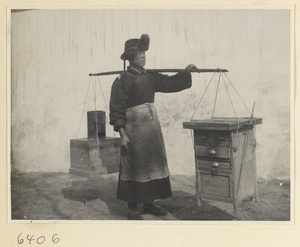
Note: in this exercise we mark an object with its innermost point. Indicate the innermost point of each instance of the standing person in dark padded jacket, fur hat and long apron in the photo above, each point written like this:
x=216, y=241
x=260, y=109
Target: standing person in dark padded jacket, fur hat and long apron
x=144, y=173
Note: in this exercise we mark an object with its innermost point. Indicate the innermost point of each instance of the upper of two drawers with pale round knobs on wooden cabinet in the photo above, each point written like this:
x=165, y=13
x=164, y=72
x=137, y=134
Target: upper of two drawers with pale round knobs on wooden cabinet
x=217, y=152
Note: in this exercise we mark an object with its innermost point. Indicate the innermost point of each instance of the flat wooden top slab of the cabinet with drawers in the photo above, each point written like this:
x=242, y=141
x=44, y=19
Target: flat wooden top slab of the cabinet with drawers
x=224, y=123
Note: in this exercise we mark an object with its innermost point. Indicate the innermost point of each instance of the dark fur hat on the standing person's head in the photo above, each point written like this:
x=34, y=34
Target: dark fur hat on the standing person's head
x=133, y=46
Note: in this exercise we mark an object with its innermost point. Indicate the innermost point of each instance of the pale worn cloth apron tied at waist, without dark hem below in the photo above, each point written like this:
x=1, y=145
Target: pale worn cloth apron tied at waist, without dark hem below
x=145, y=160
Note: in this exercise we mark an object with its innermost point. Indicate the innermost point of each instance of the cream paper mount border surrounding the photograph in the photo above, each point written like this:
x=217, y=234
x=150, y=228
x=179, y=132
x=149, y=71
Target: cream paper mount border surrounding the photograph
x=111, y=231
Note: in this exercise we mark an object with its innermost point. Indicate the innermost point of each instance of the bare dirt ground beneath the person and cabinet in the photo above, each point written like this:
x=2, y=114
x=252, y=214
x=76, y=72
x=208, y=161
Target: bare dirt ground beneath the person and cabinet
x=62, y=196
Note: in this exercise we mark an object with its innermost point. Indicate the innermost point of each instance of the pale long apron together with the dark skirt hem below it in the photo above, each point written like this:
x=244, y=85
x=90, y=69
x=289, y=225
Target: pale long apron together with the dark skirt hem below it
x=144, y=173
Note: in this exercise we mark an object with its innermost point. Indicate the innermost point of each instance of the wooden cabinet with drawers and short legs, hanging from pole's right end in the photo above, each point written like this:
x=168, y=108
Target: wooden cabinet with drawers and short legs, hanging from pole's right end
x=225, y=162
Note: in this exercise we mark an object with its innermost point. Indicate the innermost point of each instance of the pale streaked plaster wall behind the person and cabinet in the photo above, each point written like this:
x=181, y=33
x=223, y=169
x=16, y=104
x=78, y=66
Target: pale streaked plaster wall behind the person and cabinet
x=53, y=52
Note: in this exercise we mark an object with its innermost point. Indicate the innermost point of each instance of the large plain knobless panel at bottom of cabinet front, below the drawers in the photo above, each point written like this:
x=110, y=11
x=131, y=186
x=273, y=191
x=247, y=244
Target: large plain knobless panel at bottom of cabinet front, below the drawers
x=215, y=185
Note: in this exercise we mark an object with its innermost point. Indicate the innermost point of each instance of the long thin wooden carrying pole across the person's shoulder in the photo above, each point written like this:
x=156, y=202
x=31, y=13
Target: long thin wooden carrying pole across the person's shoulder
x=163, y=71
